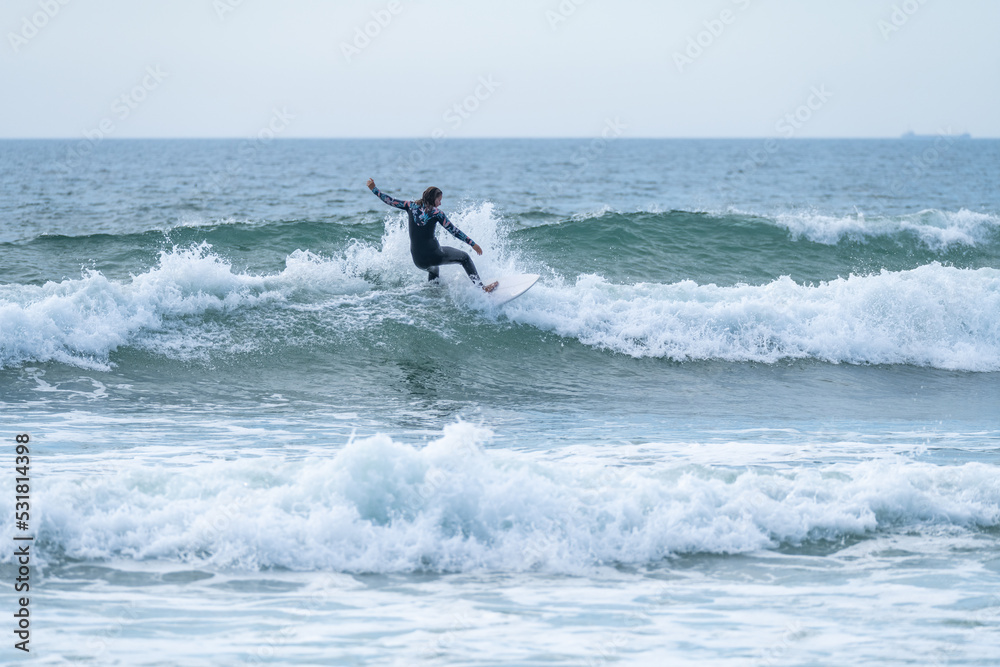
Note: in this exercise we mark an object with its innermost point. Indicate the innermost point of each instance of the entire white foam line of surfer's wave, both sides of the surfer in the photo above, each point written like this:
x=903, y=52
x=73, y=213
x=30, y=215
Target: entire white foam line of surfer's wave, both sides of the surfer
x=935, y=316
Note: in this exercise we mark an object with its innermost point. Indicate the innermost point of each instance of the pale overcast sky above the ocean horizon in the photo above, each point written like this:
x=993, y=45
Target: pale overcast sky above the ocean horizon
x=492, y=68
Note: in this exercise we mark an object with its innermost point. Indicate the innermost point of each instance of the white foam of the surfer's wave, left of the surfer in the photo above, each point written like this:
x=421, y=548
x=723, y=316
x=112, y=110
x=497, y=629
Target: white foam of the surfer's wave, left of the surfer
x=81, y=321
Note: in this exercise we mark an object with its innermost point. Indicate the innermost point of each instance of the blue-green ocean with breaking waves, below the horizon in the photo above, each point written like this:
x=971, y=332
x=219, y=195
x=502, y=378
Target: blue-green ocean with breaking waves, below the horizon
x=750, y=414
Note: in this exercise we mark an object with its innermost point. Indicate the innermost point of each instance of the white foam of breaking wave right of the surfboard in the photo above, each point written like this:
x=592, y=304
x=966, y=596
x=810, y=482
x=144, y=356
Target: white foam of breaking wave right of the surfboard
x=930, y=316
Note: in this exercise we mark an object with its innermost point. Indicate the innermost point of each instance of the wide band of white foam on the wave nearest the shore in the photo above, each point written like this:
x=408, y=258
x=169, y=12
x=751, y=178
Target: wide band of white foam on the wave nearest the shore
x=383, y=506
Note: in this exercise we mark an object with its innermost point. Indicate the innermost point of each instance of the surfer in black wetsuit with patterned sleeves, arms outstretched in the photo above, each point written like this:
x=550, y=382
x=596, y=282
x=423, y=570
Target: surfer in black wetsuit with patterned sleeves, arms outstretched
x=427, y=253
